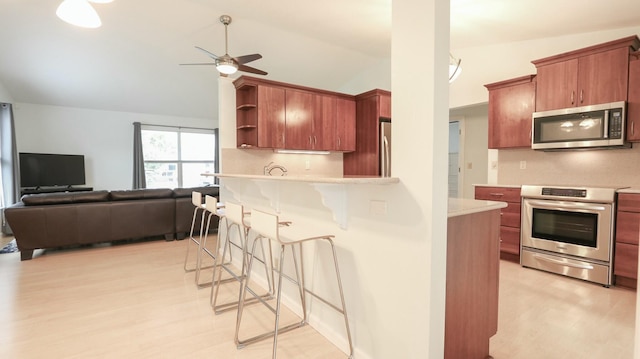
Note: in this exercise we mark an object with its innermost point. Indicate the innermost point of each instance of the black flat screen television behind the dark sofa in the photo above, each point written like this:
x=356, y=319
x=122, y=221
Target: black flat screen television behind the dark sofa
x=46, y=169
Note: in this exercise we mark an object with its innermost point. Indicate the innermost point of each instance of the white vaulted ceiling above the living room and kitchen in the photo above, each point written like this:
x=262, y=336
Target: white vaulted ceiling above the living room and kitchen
x=131, y=63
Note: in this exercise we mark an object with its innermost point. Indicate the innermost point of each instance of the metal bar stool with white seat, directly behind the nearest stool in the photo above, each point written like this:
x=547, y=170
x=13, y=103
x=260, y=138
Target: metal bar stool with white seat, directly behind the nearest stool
x=236, y=217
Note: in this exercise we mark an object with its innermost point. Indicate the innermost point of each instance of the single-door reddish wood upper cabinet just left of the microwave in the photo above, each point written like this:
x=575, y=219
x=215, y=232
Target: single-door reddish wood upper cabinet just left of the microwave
x=511, y=105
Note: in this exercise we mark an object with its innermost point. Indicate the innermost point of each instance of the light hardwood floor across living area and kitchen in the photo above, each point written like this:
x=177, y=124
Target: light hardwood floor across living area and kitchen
x=134, y=300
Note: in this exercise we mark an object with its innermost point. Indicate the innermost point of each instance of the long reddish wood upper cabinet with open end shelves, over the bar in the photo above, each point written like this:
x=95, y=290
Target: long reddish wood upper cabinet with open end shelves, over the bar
x=277, y=115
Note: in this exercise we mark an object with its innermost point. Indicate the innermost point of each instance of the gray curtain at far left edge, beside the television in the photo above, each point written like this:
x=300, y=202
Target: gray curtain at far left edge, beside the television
x=10, y=174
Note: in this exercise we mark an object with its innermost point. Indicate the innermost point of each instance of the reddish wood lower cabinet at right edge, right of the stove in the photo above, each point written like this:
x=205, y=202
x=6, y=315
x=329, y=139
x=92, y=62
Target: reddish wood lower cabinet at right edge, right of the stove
x=625, y=261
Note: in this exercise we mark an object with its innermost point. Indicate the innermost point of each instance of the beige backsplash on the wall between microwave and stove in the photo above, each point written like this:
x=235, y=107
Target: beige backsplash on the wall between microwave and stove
x=604, y=168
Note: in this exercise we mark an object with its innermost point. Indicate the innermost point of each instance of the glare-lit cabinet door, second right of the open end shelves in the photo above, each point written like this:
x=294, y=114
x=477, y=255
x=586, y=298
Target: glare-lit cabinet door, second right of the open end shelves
x=299, y=109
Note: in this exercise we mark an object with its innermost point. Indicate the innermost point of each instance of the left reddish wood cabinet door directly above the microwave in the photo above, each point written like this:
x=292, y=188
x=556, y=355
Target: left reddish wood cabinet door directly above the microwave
x=557, y=85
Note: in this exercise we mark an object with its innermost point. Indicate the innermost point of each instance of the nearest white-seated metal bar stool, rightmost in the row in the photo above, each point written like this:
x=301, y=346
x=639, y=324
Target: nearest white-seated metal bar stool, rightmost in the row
x=267, y=226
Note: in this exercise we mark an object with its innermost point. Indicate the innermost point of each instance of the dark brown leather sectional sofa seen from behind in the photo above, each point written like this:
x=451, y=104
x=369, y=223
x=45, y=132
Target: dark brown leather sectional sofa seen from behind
x=55, y=220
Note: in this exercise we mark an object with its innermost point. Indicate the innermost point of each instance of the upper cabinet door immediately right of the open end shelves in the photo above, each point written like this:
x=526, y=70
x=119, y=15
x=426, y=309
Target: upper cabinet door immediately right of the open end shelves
x=271, y=117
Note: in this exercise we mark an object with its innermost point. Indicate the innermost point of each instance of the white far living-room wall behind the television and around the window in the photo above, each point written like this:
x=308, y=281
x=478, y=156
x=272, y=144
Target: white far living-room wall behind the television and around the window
x=105, y=138
